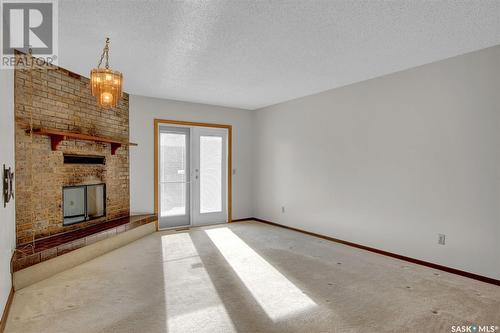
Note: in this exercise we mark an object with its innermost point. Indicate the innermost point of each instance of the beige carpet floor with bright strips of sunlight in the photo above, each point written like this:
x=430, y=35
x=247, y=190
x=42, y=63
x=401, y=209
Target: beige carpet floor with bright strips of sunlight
x=250, y=277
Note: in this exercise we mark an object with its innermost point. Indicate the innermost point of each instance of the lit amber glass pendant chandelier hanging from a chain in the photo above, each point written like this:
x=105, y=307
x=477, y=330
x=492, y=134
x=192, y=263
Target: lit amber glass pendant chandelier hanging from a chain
x=106, y=84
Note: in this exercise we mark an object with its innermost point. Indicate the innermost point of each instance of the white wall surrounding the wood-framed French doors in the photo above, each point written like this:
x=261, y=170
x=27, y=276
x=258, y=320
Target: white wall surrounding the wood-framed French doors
x=143, y=111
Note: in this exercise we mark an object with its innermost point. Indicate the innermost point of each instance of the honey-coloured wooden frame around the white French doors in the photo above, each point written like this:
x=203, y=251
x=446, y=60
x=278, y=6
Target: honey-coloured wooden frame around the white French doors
x=229, y=128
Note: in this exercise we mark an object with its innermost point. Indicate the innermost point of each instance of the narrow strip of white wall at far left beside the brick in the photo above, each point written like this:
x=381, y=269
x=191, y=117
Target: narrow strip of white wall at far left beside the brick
x=7, y=215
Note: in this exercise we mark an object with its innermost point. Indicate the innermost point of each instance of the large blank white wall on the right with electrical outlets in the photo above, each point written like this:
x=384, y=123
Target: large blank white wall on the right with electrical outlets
x=391, y=162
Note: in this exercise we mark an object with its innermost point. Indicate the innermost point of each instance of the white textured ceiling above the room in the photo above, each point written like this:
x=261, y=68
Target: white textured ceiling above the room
x=250, y=54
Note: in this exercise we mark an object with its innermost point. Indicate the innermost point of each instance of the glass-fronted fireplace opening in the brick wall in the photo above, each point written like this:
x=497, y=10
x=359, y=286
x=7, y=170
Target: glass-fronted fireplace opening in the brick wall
x=83, y=203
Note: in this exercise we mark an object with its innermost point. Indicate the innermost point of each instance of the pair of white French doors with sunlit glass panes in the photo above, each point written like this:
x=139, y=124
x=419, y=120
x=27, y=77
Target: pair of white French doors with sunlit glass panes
x=192, y=175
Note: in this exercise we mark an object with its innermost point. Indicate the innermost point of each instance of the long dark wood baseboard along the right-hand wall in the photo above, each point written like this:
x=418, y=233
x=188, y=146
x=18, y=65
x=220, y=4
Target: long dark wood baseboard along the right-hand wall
x=390, y=254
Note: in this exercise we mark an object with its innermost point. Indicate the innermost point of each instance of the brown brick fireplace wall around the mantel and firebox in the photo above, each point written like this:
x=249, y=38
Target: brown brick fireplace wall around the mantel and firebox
x=62, y=101
